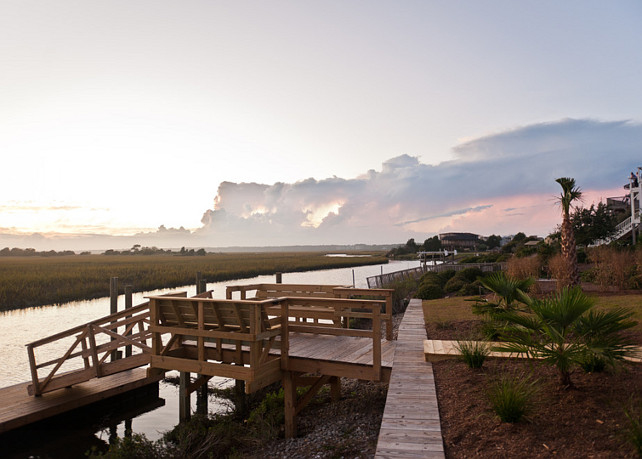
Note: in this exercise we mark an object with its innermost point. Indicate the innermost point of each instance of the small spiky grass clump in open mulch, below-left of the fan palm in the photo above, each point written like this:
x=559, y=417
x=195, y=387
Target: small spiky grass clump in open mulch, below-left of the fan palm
x=512, y=398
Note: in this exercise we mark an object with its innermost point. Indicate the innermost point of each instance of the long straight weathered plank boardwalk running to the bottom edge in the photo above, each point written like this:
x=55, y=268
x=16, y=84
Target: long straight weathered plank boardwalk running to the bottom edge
x=410, y=427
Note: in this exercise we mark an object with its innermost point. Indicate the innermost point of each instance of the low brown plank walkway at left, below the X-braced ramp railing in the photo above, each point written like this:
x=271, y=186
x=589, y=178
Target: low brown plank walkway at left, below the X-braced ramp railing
x=18, y=408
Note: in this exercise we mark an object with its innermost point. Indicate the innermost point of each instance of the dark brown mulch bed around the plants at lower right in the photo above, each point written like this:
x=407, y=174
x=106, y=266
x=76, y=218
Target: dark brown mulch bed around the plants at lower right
x=587, y=421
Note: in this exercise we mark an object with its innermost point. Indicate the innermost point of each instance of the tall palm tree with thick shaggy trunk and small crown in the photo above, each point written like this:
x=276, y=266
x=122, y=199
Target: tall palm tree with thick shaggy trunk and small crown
x=570, y=194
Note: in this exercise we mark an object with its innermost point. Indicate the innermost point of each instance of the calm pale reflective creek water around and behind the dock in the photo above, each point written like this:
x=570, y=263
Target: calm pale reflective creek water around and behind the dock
x=19, y=327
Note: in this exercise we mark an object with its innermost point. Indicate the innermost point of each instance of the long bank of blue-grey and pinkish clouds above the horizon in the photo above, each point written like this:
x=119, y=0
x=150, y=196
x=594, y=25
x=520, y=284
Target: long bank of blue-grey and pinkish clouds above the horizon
x=498, y=184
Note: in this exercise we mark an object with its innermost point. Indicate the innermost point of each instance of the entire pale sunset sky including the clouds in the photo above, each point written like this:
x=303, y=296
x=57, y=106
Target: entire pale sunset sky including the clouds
x=225, y=123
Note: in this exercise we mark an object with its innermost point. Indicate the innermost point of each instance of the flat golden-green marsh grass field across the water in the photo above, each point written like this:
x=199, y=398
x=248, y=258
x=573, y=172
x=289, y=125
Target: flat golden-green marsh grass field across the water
x=35, y=281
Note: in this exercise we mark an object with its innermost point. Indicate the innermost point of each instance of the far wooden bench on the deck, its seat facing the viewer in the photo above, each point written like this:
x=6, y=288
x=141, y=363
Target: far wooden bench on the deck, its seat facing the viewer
x=263, y=291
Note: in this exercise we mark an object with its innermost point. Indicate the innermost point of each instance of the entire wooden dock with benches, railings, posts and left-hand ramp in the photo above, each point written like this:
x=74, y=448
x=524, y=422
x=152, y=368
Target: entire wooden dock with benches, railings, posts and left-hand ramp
x=300, y=341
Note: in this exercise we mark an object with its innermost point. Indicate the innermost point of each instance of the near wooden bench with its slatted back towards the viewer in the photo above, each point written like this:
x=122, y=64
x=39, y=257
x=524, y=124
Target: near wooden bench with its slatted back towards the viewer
x=226, y=338
